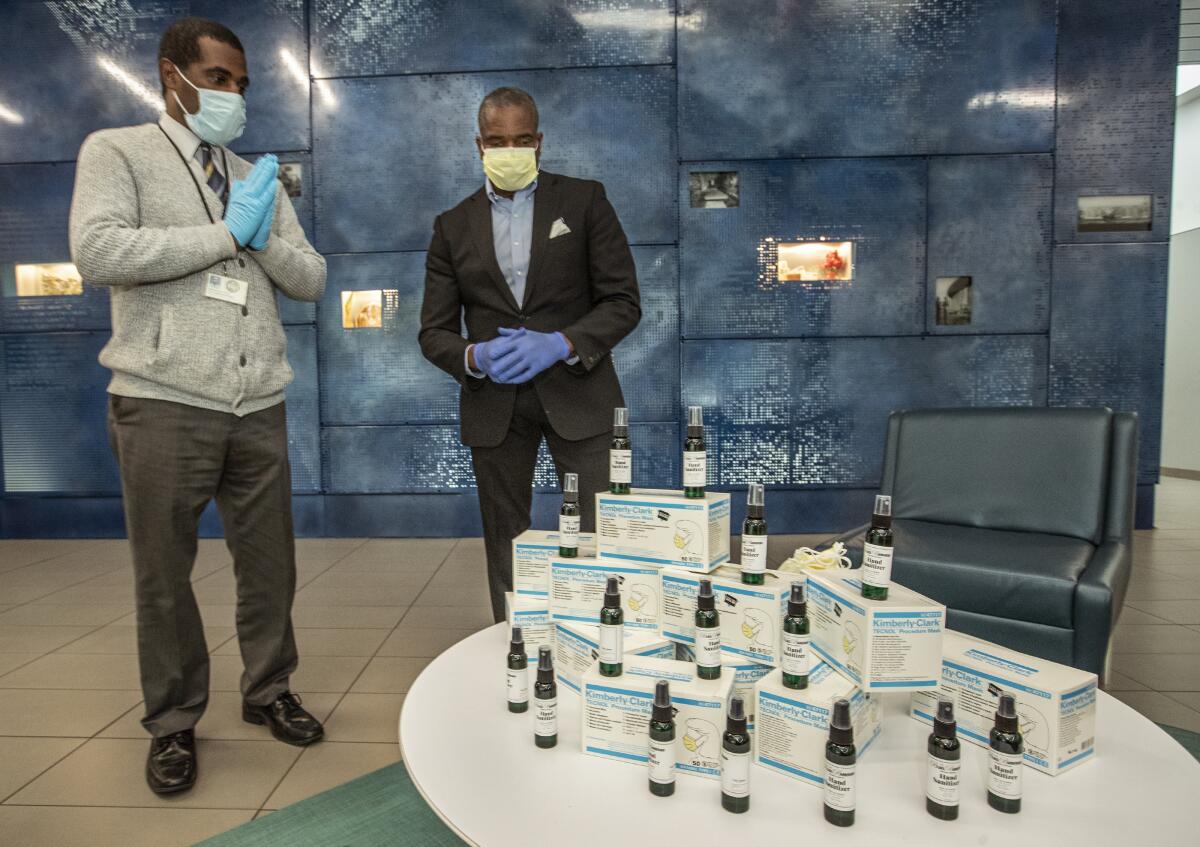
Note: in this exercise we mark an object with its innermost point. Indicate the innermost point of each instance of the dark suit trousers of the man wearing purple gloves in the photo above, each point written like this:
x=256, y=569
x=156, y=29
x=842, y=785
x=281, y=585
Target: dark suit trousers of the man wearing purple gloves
x=505, y=477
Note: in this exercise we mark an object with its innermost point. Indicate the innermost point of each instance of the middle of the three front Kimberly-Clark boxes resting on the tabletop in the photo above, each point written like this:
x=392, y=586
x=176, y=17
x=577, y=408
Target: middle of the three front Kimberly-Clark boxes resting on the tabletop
x=791, y=728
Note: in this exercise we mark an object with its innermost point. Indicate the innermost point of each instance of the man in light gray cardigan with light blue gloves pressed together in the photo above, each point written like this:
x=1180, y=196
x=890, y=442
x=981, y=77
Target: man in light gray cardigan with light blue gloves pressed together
x=193, y=244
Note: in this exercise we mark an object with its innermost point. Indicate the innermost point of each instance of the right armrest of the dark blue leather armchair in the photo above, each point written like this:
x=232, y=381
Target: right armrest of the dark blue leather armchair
x=1100, y=596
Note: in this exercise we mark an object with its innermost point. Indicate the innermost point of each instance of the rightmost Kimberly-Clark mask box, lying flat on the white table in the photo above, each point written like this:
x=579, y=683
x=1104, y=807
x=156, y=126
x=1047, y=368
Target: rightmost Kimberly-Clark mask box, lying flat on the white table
x=1055, y=704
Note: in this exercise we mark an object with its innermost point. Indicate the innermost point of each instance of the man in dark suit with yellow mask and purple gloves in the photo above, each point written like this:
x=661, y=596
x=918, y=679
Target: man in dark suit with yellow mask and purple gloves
x=542, y=269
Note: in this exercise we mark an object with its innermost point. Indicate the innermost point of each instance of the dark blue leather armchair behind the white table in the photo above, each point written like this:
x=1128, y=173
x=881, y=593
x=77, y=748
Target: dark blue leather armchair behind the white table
x=1019, y=520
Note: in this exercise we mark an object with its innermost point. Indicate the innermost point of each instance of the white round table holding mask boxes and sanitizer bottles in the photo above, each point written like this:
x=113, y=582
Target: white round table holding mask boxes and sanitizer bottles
x=477, y=766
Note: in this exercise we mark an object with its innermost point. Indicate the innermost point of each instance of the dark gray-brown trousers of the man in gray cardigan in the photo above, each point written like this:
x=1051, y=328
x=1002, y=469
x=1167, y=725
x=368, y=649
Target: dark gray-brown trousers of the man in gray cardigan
x=175, y=459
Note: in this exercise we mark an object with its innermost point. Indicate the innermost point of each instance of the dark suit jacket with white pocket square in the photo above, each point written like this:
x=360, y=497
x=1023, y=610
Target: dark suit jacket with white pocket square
x=583, y=284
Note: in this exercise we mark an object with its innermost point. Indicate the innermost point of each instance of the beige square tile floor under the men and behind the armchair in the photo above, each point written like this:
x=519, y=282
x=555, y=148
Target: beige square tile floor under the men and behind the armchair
x=369, y=615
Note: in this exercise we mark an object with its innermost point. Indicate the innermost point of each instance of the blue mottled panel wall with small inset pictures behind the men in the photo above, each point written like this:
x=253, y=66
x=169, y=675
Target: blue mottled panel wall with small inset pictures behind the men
x=946, y=141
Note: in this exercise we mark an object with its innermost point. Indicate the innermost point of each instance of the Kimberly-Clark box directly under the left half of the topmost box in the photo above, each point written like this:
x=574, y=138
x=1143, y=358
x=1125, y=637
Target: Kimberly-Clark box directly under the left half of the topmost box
x=577, y=592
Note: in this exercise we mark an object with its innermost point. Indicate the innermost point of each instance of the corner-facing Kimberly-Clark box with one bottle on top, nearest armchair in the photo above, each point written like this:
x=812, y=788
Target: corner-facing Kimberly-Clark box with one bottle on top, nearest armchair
x=893, y=645
